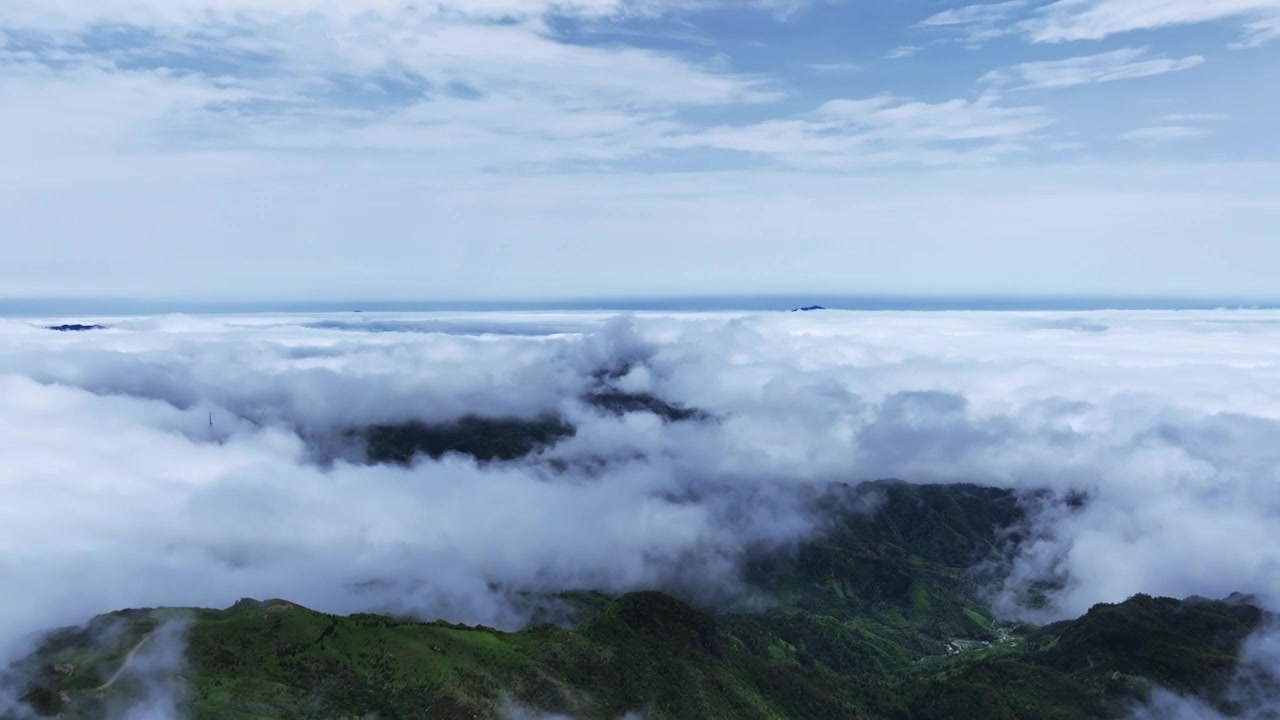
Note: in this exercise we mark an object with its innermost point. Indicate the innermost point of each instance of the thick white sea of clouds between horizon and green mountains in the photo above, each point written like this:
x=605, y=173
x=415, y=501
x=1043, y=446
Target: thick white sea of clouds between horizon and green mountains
x=196, y=461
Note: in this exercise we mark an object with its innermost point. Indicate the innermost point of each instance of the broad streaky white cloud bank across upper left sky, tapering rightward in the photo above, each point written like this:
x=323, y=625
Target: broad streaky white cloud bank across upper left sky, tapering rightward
x=374, y=76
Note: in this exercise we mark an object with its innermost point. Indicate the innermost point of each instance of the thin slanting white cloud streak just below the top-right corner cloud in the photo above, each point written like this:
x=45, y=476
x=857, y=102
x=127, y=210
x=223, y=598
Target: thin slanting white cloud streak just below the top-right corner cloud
x=1105, y=67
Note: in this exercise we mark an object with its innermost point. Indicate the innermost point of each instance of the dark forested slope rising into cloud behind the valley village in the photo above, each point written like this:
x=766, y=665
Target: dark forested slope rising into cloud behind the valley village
x=899, y=560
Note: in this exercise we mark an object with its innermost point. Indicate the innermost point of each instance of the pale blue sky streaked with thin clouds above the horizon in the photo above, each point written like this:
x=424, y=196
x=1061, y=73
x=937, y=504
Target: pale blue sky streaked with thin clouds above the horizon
x=483, y=149
